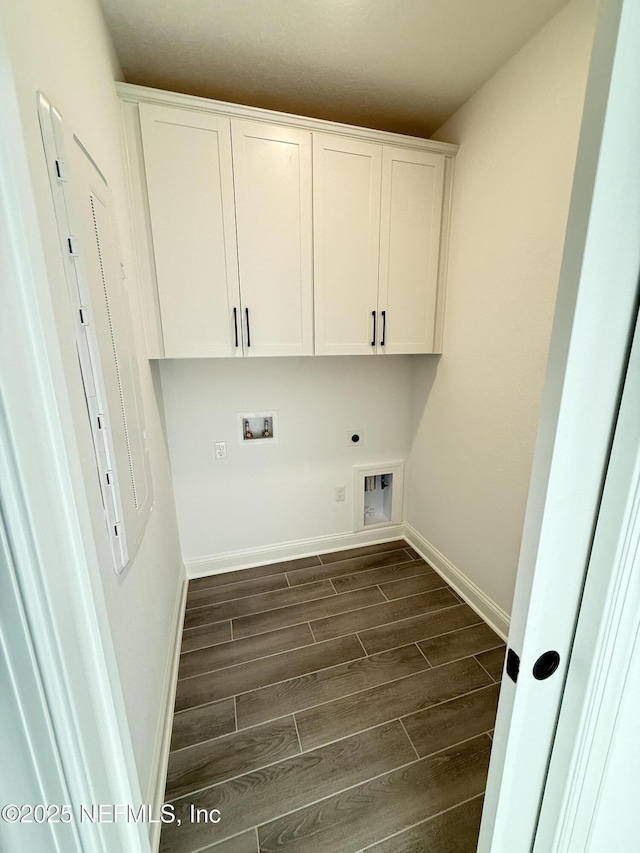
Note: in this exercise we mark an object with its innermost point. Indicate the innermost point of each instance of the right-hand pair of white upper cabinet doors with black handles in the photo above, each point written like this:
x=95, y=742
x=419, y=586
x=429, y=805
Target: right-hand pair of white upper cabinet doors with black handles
x=377, y=229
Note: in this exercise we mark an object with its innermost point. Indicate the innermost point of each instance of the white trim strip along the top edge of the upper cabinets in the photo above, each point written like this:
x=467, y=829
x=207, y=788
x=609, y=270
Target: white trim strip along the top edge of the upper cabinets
x=137, y=94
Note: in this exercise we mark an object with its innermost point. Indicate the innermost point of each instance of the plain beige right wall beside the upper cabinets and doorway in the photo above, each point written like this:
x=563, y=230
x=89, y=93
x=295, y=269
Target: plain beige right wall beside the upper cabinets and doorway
x=476, y=408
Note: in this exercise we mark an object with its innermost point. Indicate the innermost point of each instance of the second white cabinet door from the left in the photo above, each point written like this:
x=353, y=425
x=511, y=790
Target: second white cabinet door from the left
x=272, y=172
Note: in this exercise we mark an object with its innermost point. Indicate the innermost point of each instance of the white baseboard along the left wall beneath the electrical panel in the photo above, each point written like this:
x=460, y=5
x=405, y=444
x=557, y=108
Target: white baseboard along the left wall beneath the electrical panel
x=155, y=795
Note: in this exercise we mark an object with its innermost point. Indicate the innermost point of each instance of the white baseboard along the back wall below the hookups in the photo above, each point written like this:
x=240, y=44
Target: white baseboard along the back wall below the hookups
x=232, y=560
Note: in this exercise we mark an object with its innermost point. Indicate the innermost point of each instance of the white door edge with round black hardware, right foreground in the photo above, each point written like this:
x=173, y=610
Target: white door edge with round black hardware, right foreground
x=589, y=350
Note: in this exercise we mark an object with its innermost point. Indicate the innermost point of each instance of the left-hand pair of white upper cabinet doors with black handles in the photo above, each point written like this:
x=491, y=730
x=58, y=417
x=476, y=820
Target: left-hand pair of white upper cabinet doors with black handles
x=230, y=210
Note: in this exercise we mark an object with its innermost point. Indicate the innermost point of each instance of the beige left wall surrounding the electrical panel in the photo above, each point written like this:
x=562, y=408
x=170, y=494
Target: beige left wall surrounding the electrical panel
x=63, y=49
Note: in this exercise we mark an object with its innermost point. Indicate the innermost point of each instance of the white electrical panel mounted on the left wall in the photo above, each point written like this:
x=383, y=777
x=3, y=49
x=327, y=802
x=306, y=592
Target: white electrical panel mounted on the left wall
x=106, y=348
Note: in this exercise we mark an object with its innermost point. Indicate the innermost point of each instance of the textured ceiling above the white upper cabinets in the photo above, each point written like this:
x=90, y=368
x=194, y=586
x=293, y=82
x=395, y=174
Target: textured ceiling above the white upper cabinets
x=399, y=65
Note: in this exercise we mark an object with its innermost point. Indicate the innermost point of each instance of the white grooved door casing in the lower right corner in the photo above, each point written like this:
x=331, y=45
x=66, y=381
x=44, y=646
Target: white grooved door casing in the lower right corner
x=593, y=787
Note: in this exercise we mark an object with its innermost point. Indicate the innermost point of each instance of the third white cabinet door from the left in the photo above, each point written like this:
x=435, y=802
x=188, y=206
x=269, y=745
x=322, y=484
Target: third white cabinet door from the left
x=346, y=208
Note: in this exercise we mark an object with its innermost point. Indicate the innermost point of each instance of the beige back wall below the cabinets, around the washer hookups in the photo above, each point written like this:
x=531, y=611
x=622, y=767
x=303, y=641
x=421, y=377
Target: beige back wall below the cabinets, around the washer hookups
x=263, y=496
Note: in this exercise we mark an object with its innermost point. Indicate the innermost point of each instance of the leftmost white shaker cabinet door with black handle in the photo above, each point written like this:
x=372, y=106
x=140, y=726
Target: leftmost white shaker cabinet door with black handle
x=187, y=157
